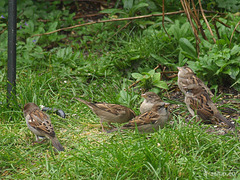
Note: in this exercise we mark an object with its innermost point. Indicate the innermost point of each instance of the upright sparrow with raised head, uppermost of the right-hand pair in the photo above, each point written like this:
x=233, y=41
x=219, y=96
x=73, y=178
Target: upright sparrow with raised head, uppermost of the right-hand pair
x=188, y=80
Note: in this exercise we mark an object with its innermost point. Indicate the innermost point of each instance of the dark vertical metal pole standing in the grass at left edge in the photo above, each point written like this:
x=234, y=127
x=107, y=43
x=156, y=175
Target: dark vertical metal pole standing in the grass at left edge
x=12, y=20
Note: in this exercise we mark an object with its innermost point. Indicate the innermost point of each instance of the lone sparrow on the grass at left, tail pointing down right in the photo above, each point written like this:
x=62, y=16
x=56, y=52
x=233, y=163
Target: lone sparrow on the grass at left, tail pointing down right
x=40, y=124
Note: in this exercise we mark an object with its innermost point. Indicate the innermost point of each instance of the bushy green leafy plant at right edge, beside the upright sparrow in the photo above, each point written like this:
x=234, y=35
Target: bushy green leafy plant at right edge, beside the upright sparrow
x=220, y=66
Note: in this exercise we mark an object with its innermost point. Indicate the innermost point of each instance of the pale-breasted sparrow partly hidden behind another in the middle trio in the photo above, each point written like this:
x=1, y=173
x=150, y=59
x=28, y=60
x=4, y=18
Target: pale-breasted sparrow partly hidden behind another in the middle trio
x=150, y=98
